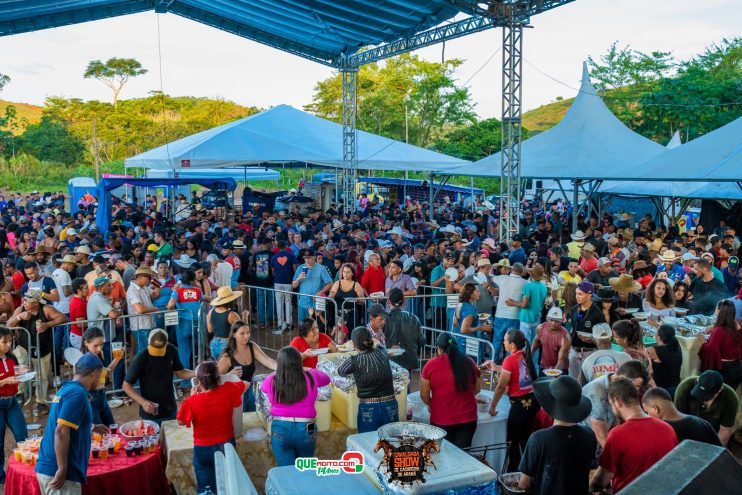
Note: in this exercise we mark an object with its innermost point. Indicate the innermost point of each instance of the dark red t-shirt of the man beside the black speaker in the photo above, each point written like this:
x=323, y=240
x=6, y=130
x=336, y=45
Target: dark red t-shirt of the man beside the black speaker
x=634, y=447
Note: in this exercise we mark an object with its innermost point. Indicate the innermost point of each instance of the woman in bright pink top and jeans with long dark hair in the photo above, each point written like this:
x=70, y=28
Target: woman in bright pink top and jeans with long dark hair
x=292, y=391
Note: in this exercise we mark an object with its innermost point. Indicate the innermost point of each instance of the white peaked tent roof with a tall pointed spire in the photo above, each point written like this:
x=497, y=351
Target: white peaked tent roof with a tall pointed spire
x=588, y=143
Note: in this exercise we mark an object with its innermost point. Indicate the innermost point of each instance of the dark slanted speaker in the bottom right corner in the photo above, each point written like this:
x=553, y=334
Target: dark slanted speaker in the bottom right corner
x=691, y=468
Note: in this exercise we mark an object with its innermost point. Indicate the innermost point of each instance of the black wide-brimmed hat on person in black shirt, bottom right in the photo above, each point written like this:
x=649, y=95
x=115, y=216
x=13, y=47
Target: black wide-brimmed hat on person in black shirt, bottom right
x=562, y=398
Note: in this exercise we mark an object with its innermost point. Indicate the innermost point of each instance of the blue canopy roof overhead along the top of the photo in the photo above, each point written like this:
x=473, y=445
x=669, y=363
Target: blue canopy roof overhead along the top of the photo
x=318, y=29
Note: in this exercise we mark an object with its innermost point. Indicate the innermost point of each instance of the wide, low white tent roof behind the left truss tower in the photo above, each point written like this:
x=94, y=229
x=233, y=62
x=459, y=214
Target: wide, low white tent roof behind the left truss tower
x=284, y=134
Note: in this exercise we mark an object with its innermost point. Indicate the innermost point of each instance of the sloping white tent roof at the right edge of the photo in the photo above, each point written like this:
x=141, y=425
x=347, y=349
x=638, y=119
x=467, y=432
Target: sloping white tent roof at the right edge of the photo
x=713, y=157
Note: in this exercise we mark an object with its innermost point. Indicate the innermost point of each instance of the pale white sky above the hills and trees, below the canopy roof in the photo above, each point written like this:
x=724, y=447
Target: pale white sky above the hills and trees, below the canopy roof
x=198, y=60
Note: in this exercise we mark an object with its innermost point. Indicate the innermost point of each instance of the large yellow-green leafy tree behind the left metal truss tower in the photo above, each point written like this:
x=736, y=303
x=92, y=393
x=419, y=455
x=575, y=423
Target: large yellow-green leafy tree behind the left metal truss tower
x=402, y=98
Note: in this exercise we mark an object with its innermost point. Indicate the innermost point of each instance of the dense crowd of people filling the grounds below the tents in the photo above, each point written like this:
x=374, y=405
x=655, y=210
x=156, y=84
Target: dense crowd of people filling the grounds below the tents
x=549, y=299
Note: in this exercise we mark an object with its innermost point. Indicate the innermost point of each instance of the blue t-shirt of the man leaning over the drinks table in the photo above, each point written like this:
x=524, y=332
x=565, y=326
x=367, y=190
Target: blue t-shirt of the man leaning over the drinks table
x=70, y=407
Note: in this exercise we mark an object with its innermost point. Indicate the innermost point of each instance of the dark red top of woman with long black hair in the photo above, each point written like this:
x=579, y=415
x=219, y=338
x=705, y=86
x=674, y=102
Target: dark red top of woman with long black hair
x=449, y=406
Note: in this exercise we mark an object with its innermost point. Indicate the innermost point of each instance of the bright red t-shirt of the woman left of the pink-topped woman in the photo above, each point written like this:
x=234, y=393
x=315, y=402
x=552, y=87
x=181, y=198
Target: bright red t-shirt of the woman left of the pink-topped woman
x=210, y=413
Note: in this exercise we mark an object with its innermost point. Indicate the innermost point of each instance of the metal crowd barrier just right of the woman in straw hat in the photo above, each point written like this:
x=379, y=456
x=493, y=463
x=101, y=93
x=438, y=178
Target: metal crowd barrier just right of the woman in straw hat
x=264, y=314
